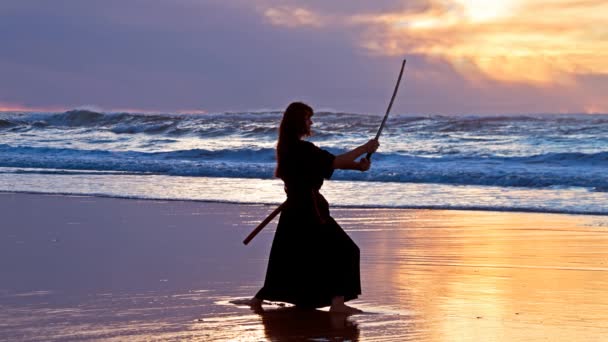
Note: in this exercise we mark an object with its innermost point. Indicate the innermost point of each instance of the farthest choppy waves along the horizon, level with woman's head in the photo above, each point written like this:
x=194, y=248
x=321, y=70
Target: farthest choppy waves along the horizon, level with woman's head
x=256, y=124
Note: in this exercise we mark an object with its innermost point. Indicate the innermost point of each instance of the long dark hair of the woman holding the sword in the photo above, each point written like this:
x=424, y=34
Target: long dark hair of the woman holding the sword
x=292, y=129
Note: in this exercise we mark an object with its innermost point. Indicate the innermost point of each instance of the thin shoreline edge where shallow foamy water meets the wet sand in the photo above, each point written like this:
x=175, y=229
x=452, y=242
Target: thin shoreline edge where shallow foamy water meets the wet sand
x=336, y=206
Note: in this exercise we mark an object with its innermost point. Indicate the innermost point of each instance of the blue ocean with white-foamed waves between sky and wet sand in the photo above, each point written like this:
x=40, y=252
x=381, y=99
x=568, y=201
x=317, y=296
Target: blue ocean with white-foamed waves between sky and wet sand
x=535, y=163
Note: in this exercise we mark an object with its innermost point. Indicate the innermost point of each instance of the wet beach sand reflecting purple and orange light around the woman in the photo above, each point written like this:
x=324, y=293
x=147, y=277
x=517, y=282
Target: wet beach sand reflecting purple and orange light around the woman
x=85, y=268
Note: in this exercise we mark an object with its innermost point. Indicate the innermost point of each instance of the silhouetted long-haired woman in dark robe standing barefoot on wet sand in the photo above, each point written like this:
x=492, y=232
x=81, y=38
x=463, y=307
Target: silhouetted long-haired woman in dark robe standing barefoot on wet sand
x=313, y=263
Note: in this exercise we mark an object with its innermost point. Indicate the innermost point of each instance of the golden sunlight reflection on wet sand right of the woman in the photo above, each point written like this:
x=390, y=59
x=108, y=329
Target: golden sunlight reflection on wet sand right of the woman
x=492, y=276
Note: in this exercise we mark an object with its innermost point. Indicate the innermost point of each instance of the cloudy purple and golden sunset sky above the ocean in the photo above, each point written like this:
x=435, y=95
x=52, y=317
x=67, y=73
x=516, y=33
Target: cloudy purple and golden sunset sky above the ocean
x=463, y=56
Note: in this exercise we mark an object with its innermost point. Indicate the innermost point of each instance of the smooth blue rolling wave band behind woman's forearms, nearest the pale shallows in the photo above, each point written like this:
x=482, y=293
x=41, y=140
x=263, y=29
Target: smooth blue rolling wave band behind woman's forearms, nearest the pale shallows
x=538, y=171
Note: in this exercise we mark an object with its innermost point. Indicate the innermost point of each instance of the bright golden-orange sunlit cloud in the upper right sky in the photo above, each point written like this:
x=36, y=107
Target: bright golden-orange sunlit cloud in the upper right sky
x=540, y=42
